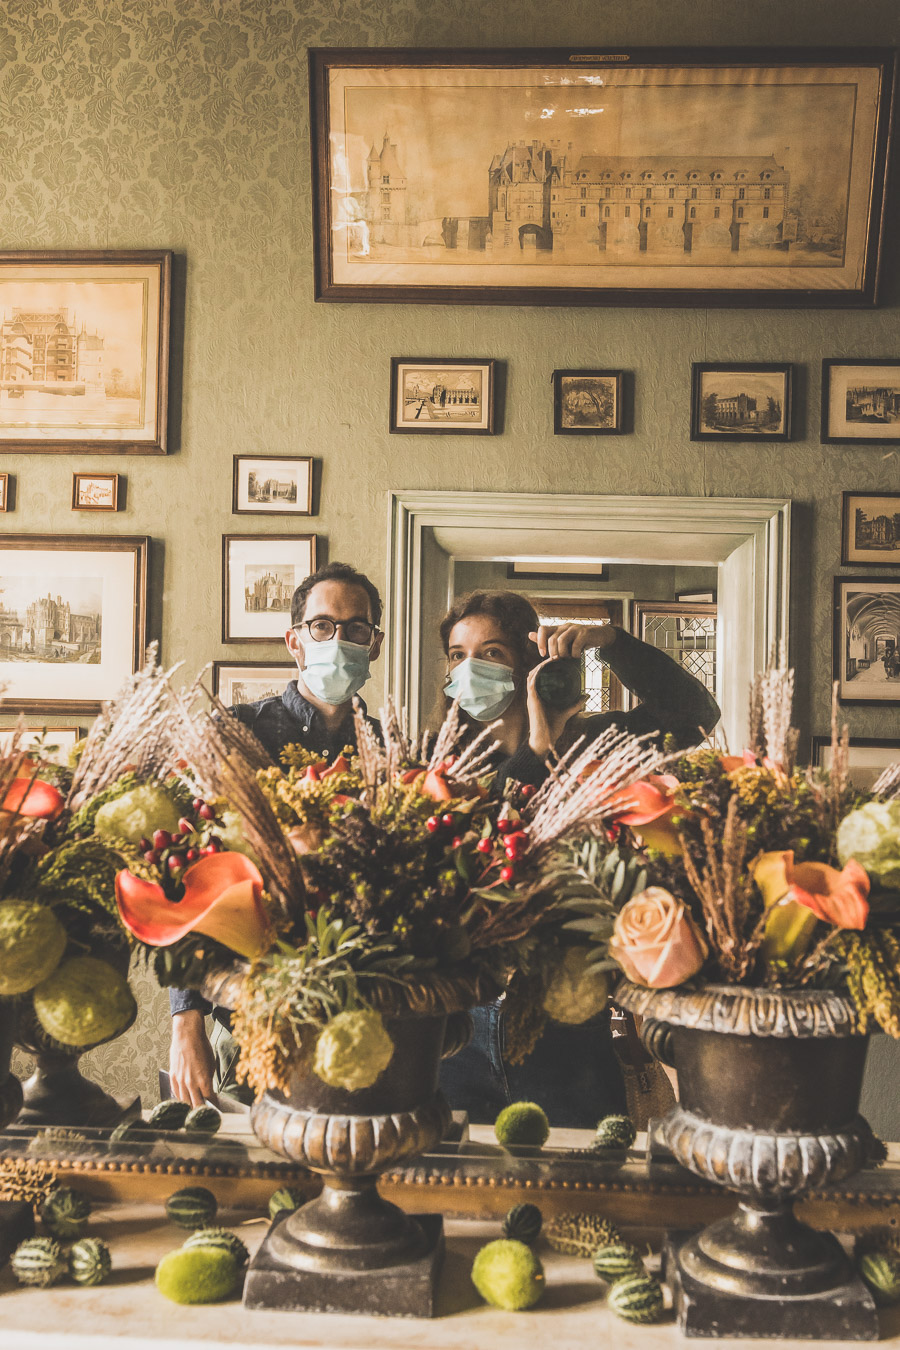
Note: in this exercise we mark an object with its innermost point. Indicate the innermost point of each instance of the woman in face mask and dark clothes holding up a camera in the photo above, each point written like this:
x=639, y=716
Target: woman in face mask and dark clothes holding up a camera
x=496, y=647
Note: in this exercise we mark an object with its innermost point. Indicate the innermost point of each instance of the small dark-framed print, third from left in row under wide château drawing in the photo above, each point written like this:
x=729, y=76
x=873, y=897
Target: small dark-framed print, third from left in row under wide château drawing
x=740, y=402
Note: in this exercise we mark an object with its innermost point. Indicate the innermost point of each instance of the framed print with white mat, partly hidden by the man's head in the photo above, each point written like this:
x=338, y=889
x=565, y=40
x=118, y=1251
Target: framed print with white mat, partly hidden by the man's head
x=261, y=574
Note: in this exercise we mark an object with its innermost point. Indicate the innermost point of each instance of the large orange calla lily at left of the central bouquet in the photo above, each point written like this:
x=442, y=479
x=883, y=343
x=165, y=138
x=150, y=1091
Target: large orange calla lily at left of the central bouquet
x=223, y=901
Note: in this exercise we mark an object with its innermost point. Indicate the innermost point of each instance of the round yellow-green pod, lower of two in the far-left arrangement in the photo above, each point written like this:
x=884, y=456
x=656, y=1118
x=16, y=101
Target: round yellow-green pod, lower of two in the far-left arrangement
x=84, y=1002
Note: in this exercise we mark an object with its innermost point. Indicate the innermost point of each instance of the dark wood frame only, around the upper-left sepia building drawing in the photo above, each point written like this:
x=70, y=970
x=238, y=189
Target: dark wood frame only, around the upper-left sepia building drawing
x=107, y=257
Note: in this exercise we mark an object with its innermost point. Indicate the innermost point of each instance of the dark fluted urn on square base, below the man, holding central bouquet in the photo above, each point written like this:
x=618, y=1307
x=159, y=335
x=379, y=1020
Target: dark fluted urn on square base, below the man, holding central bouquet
x=350, y=1251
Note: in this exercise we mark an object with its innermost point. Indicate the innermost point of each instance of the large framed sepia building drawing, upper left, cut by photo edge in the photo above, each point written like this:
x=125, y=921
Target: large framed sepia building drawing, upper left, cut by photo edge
x=84, y=352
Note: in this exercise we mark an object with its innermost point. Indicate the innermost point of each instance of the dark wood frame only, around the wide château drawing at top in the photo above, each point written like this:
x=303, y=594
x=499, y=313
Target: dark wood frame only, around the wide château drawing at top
x=325, y=59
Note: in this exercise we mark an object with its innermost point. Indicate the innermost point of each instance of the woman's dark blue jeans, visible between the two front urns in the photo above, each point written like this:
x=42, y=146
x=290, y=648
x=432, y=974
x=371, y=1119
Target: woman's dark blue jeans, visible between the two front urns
x=573, y=1073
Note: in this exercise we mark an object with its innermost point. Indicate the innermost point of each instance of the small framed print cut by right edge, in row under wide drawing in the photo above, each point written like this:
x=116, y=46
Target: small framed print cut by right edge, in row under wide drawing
x=862, y=402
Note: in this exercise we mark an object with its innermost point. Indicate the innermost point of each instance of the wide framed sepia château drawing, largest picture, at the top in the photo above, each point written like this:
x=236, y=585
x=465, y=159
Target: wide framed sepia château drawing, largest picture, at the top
x=627, y=178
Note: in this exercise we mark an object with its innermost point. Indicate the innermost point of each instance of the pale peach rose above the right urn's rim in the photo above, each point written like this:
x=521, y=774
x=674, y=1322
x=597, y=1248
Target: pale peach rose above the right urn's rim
x=656, y=942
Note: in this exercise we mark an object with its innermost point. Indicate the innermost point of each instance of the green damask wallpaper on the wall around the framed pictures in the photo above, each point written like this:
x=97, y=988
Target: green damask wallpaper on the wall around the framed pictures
x=184, y=125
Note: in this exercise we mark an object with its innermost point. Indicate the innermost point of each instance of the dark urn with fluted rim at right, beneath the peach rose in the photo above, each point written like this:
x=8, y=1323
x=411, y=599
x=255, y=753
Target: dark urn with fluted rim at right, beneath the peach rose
x=768, y=1108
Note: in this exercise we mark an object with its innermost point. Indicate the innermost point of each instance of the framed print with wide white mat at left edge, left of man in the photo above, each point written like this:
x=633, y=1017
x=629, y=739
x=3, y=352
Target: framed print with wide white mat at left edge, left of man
x=74, y=619
